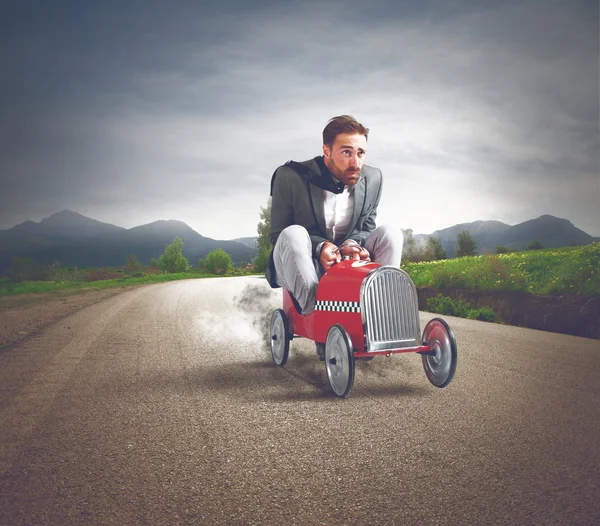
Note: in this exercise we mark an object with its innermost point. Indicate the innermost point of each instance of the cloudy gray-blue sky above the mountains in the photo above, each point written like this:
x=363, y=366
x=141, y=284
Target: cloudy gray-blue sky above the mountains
x=130, y=112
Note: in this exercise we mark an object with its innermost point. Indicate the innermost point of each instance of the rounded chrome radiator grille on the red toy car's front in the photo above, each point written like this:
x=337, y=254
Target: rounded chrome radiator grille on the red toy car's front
x=390, y=310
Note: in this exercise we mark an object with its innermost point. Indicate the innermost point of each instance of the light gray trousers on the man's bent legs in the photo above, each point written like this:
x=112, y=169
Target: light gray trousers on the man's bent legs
x=299, y=273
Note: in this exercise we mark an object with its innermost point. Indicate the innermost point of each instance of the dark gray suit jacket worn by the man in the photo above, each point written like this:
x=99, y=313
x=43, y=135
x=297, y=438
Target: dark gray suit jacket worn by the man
x=296, y=200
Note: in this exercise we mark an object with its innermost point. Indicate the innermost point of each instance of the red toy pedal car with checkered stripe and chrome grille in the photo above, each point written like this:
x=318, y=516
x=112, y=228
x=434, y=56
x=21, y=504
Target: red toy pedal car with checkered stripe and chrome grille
x=364, y=309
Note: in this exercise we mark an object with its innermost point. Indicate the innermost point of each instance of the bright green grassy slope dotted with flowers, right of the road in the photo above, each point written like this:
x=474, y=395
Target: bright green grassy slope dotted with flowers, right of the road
x=572, y=270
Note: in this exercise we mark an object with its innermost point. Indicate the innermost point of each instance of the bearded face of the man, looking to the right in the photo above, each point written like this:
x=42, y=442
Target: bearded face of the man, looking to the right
x=345, y=157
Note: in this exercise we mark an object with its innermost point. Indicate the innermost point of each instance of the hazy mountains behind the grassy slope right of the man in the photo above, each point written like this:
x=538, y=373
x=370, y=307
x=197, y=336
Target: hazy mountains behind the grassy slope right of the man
x=550, y=231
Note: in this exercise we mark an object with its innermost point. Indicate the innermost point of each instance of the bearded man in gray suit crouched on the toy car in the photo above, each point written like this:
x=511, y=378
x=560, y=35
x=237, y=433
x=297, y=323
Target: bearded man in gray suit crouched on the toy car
x=324, y=209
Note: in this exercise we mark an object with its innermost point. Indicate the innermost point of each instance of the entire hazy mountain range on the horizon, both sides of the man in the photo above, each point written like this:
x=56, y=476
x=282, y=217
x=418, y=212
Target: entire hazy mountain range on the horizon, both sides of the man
x=76, y=240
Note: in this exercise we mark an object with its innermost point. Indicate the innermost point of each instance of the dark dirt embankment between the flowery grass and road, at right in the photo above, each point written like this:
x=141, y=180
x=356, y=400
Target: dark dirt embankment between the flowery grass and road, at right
x=578, y=315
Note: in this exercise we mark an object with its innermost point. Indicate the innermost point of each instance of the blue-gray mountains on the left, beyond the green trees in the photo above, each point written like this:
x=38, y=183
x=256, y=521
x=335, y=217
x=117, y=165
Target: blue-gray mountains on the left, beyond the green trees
x=76, y=240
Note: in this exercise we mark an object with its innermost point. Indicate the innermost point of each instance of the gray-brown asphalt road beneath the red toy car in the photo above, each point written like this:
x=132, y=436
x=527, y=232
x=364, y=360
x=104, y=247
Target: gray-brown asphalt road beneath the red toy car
x=161, y=406
